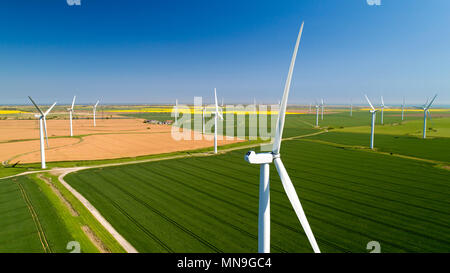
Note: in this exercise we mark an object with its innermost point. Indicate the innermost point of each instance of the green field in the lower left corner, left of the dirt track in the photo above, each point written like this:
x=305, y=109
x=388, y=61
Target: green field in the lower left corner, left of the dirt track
x=35, y=220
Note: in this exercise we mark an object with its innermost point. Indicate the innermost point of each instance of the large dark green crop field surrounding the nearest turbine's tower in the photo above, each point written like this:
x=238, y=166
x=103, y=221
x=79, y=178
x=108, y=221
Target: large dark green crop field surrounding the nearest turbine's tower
x=210, y=204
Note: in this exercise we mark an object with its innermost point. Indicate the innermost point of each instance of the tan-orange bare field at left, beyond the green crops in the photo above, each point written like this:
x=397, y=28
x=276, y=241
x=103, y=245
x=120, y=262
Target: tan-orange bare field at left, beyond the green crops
x=112, y=138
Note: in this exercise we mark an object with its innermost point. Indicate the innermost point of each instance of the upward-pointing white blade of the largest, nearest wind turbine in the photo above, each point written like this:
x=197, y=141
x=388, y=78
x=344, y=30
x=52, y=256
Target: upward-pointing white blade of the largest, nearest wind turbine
x=282, y=113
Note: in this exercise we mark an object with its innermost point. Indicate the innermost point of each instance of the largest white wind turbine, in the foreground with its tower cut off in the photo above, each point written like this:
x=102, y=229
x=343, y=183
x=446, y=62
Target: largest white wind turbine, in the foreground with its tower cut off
x=264, y=159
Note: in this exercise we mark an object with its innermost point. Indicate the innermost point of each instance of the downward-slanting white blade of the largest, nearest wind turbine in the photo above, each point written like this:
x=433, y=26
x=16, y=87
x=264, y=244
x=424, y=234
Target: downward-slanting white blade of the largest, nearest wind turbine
x=295, y=202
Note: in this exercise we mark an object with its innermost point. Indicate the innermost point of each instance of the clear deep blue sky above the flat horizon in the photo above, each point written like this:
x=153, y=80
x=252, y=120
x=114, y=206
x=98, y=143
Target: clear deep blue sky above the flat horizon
x=156, y=51
